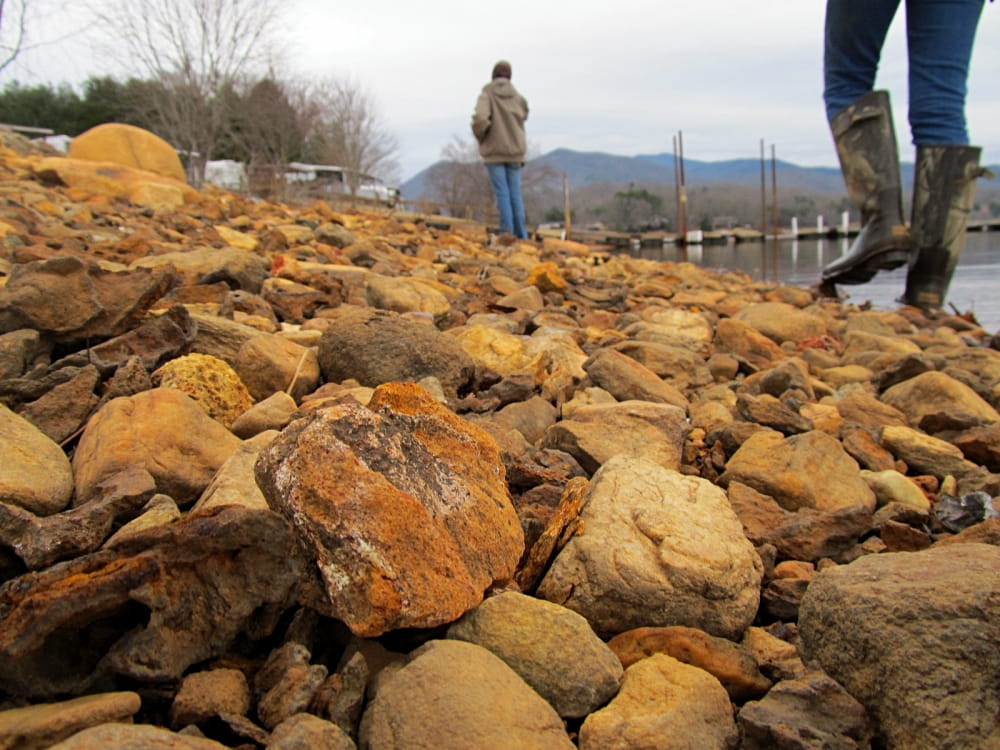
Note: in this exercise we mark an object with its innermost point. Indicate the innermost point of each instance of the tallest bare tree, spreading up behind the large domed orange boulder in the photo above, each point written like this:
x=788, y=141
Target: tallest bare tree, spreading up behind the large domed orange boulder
x=196, y=52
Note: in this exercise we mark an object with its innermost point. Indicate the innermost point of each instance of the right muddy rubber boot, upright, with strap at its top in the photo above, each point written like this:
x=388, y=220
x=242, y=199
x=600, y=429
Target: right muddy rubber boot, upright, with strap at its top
x=944, y=190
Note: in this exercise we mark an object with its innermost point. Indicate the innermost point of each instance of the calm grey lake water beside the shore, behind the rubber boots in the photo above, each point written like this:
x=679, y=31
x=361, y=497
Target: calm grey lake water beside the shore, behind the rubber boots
x=975, y=287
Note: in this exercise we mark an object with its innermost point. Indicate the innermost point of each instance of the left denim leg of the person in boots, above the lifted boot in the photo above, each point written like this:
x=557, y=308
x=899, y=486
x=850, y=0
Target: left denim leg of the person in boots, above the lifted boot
x=854, y=34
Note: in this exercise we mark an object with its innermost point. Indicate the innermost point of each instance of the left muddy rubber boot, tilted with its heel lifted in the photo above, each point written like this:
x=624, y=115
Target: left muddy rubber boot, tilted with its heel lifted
x=869, y=158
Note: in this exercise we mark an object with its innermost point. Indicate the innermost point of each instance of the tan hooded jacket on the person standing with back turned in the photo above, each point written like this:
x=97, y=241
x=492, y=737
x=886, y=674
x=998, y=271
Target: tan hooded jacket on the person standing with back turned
x=498, y=122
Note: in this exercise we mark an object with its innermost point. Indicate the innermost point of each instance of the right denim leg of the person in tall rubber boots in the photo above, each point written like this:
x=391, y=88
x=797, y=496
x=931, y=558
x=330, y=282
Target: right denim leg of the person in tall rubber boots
x=940, y=34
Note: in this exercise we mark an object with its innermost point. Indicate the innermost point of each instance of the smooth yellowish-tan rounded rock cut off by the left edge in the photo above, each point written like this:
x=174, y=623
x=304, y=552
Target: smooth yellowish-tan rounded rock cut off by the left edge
x=35, y=474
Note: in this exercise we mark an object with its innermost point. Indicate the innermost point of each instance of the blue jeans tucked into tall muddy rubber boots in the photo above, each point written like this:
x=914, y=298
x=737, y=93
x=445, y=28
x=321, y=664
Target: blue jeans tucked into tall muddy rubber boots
x=939, y=38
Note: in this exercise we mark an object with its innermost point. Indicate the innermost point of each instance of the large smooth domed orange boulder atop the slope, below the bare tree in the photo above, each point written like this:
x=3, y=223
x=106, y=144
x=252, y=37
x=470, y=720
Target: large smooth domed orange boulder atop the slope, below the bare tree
x=129, y=146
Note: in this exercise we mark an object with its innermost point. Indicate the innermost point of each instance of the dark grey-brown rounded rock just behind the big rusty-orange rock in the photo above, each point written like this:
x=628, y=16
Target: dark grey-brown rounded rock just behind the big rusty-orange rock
x=385, y=347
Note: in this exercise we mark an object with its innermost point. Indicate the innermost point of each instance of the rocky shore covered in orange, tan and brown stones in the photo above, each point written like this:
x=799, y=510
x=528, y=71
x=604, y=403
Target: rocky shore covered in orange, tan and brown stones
x=283, y=477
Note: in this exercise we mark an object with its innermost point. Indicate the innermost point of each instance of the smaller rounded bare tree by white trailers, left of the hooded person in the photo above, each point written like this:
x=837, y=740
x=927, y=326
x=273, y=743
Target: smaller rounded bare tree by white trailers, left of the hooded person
x=350, y=133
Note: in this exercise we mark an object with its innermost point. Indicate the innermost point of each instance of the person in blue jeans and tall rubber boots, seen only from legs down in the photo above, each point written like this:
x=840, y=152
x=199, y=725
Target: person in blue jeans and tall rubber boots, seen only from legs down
x=939, y=36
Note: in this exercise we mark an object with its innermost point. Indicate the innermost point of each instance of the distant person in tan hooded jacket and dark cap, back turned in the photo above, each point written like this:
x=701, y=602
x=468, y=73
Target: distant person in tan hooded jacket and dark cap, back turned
x=498, y=125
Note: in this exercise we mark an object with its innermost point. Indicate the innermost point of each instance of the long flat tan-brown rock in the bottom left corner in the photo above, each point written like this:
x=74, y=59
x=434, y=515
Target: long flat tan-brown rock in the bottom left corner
x=44, y=724
